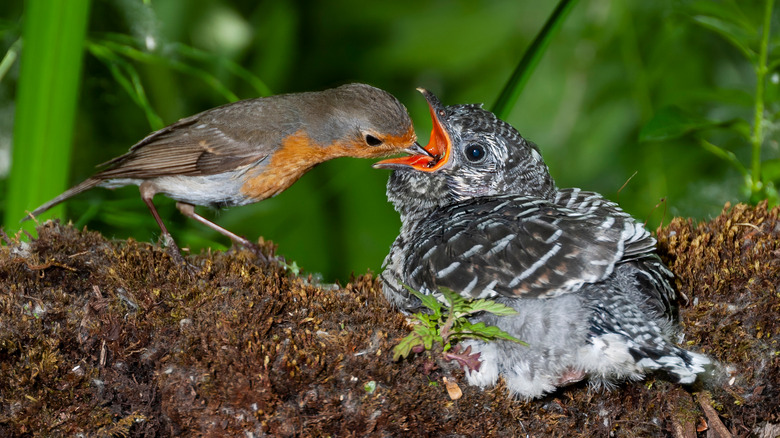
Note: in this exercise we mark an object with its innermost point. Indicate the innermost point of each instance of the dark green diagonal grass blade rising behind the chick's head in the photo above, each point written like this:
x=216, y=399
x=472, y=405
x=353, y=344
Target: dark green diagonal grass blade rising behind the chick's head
x=514, y=87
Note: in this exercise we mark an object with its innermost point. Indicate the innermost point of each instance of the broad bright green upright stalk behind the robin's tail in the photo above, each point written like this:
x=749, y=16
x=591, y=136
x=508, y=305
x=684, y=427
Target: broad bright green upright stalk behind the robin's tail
x=52, y=46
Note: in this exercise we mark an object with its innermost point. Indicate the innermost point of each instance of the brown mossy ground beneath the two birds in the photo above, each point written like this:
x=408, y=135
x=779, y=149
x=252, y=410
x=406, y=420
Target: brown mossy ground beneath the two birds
x=111, y=338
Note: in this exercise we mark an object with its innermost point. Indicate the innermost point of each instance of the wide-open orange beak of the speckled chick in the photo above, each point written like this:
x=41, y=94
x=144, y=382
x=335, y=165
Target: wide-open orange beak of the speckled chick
x=436, y=153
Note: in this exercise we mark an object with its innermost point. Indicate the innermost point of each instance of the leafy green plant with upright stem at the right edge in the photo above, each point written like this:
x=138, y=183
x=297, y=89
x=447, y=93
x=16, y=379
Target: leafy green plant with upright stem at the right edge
x=751, y=36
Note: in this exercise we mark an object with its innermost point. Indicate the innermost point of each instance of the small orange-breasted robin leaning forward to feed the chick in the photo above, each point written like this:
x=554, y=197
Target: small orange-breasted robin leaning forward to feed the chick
x=254, y=149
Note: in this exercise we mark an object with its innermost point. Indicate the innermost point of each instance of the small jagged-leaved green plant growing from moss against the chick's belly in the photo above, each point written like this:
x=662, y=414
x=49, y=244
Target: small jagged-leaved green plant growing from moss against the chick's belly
x=445, y=325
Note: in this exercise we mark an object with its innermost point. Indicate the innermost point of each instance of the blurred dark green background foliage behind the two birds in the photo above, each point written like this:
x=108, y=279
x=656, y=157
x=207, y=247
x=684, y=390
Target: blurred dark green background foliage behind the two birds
x=611, y=68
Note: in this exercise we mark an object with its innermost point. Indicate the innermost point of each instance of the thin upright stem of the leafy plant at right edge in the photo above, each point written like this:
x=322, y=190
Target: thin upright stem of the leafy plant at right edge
x=761, y=71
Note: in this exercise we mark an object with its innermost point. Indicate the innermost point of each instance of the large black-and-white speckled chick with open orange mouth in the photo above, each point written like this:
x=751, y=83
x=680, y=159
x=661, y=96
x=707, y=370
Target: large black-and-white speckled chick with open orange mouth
x=483, y=217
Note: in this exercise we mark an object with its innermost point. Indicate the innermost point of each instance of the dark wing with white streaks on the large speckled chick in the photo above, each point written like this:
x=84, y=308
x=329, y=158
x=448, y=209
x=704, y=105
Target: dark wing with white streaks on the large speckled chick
x=518, y=247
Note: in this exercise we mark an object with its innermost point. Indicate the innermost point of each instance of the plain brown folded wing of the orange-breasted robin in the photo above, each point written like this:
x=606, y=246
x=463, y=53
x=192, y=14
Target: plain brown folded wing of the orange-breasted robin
x=208, y=143
